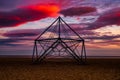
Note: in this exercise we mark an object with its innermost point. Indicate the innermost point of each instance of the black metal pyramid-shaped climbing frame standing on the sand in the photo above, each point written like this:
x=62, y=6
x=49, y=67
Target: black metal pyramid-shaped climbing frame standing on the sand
x=59, y=39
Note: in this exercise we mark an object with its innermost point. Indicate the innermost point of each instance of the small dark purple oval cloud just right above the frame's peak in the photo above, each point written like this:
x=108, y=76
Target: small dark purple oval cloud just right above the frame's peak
x=77, y=11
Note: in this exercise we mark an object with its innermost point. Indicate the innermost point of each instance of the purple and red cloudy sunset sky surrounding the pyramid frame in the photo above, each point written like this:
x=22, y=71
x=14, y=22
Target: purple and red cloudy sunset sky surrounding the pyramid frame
x=97, y=21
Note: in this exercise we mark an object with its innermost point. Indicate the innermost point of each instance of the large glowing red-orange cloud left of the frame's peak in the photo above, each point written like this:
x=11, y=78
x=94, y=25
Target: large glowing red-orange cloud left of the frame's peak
x=26, y=14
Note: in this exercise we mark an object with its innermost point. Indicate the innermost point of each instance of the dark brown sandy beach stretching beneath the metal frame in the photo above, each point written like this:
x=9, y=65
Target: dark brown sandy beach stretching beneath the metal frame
x=23, y=69
